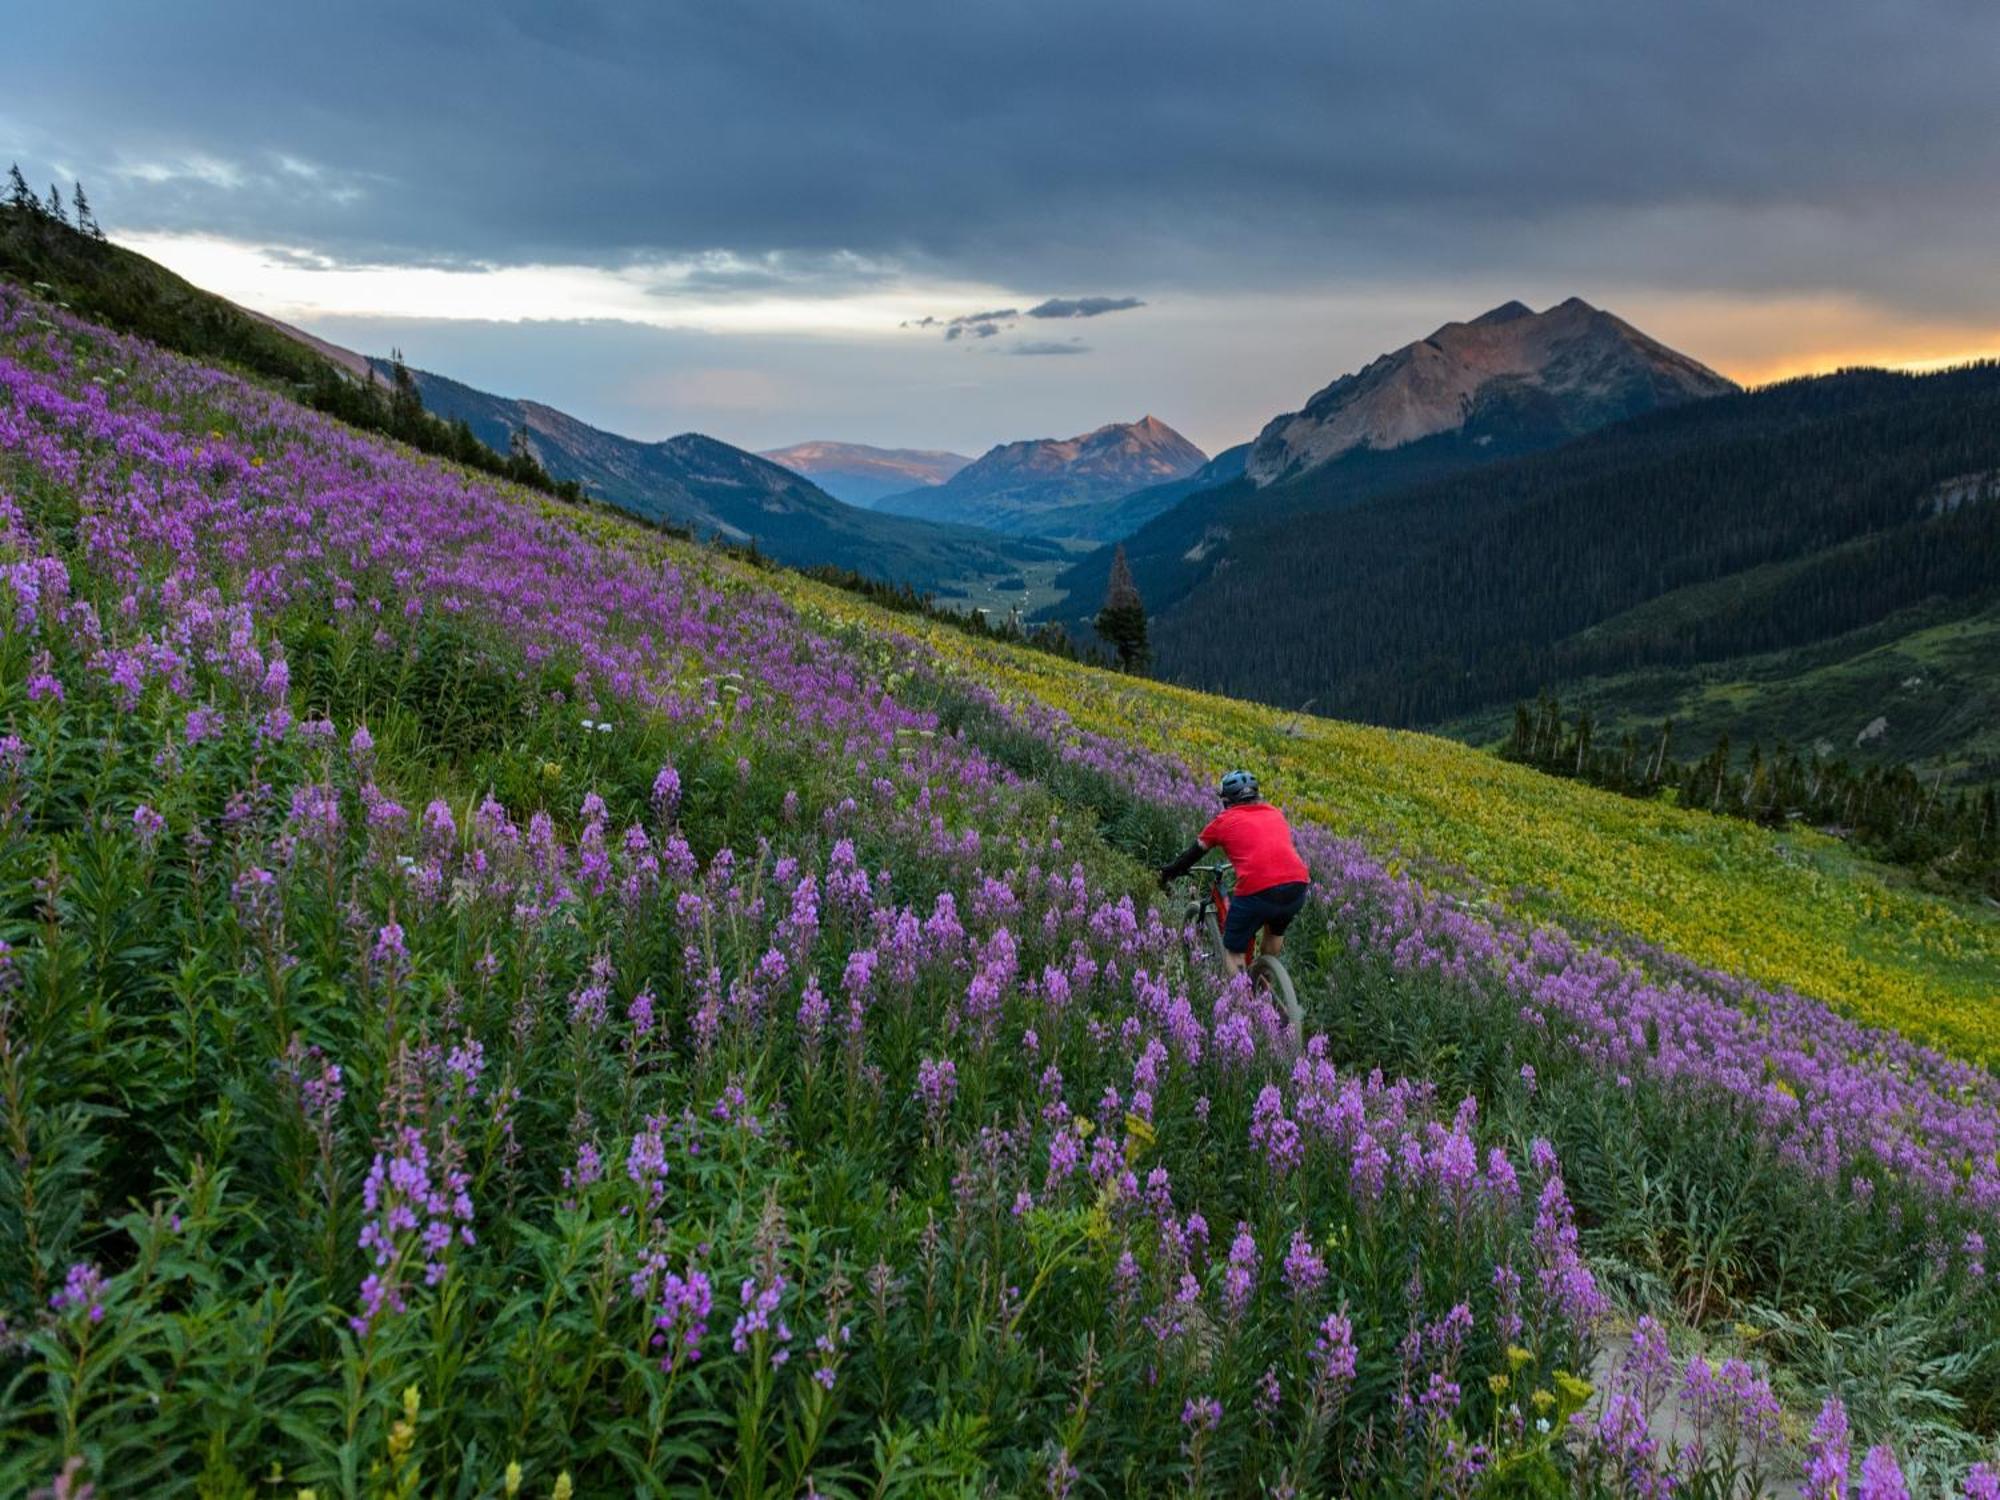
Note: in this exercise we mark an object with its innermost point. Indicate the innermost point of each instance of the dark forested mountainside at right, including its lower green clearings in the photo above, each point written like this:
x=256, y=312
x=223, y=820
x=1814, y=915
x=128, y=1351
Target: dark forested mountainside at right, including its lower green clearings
x=1817, y=563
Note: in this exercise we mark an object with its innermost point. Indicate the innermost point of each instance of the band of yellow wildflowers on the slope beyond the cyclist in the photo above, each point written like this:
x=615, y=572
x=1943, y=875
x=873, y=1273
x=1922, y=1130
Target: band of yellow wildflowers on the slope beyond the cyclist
x=1791, y=911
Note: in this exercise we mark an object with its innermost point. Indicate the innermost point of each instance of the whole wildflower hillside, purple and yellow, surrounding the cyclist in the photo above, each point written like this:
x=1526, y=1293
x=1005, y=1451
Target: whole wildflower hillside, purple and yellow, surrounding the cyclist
x=501, y=1001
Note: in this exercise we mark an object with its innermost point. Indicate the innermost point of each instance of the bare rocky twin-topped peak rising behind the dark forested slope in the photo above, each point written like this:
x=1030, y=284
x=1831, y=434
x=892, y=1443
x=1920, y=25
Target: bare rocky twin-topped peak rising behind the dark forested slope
x=1563, y=373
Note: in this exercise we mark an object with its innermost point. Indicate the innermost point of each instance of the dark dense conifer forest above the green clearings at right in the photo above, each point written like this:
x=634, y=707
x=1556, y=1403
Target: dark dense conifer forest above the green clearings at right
x=1729, y=527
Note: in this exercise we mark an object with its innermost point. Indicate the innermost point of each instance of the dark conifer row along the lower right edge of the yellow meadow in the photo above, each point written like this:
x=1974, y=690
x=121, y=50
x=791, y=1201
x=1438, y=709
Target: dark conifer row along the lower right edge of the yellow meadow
x=1893, y=813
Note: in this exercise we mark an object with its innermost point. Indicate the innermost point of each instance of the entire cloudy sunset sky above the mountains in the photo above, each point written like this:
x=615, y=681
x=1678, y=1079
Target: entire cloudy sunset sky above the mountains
x=945, y=225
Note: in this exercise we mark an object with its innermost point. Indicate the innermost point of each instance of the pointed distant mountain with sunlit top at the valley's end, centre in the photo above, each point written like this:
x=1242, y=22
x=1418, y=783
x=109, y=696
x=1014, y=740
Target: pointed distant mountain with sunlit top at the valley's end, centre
x=1057, y=487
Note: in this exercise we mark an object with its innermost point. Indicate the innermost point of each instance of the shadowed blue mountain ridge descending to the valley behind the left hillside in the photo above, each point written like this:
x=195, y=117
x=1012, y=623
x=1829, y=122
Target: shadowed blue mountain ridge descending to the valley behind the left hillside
x=723, y=491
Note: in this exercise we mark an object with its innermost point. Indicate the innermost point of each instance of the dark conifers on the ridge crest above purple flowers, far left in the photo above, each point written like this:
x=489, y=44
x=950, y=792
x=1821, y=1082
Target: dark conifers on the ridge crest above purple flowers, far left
x=41, y=243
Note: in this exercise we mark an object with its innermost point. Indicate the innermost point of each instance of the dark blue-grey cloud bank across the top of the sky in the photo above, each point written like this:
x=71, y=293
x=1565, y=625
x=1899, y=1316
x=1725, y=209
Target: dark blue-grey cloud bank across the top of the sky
x=1817, y=145
